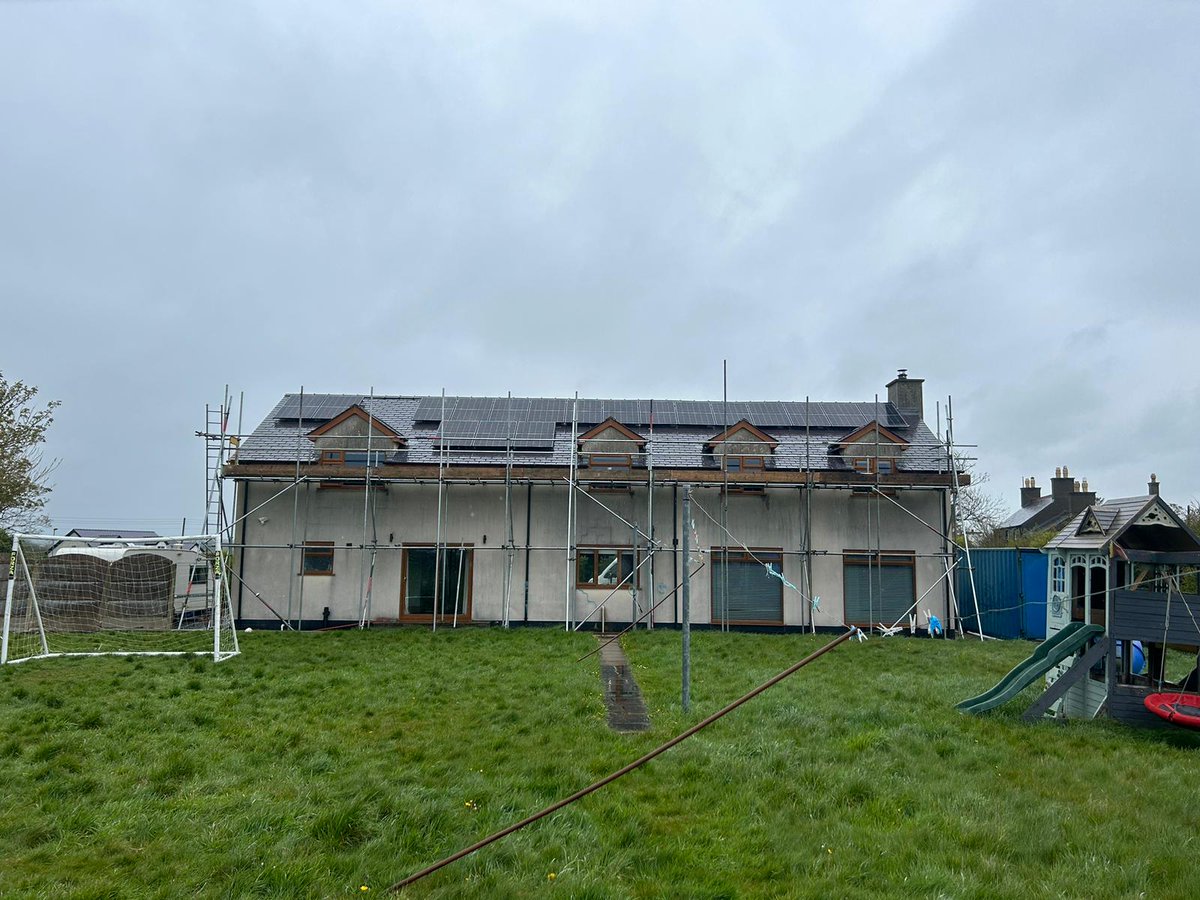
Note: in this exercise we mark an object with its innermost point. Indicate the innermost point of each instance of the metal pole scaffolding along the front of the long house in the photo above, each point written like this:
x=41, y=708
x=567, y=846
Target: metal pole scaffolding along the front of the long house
x=451, y=551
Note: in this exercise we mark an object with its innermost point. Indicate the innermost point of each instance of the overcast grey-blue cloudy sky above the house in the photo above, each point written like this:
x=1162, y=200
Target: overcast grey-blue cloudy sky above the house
x=545, y=197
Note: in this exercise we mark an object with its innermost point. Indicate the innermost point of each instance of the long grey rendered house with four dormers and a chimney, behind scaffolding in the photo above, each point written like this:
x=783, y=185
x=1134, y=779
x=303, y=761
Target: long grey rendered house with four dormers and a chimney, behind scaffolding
x=452, y=511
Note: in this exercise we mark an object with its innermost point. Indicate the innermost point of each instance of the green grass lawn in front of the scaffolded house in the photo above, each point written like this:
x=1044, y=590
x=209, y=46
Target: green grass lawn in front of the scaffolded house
x=316, y=765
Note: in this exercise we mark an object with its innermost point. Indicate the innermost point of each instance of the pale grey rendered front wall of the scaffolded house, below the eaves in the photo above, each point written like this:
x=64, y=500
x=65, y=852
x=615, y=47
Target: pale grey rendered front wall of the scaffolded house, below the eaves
x=406, y=515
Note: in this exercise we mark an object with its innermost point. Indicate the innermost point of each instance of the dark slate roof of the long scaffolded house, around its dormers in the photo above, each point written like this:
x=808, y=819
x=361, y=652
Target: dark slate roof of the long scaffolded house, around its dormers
x=477, y=430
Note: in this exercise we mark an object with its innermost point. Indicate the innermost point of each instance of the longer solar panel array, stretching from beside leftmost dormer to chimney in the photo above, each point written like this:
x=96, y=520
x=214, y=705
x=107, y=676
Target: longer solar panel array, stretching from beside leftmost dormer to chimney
x=538, y=417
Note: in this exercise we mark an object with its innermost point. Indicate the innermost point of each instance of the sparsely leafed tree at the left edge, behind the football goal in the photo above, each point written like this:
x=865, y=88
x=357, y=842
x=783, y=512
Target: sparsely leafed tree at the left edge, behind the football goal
x=25, y=473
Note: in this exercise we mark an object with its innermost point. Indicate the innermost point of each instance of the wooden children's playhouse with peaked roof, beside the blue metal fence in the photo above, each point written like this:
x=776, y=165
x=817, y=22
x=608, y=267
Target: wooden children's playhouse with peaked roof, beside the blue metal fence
x=1119, y=567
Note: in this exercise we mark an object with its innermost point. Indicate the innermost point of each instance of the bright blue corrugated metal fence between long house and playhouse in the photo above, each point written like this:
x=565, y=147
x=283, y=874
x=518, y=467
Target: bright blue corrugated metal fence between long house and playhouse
x=1011, y=586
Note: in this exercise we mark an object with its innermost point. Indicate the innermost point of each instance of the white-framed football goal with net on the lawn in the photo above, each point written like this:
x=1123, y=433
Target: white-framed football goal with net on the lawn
x=75, y=597
